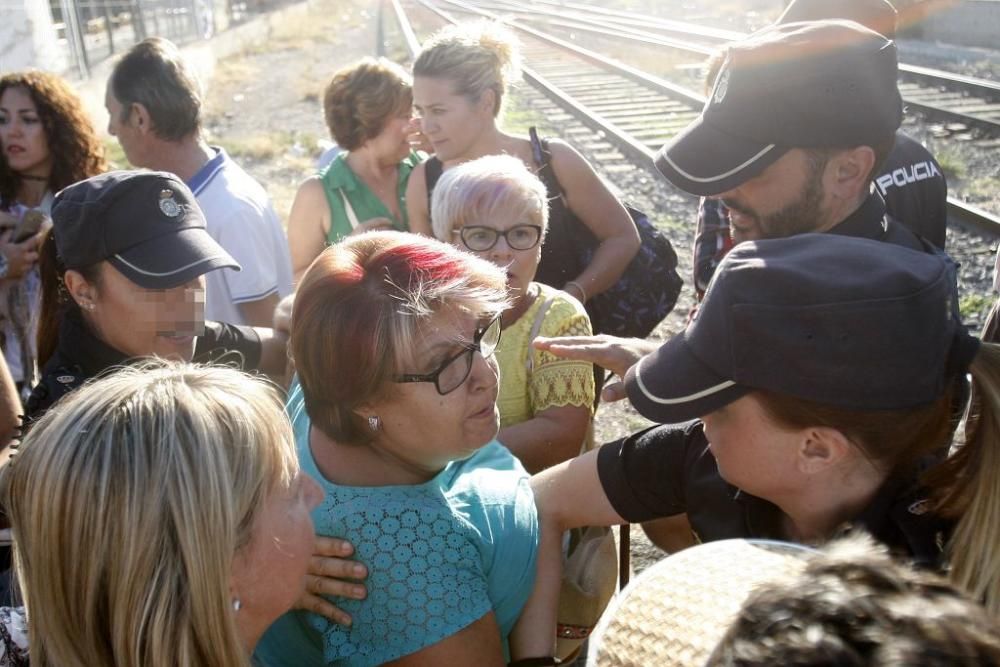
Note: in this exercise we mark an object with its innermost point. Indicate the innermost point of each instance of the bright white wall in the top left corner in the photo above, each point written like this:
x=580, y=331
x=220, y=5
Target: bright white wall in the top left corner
x=28, y=37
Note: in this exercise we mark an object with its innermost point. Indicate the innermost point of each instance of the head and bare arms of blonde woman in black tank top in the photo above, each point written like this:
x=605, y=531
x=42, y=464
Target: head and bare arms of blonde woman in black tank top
x=460, y=79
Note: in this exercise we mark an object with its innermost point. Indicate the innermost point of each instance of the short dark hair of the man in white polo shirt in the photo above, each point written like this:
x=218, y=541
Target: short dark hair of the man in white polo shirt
x=153, y=73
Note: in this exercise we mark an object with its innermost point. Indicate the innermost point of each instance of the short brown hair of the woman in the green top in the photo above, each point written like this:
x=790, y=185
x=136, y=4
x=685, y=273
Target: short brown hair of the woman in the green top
x=361, y=98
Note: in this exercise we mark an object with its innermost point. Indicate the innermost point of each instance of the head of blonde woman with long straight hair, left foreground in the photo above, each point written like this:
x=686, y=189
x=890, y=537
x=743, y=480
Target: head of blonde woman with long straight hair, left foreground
x=159, y=518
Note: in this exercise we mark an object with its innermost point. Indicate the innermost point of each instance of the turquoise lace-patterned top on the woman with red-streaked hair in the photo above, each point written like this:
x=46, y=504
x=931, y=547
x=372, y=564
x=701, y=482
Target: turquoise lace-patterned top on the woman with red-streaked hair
x=440, y=556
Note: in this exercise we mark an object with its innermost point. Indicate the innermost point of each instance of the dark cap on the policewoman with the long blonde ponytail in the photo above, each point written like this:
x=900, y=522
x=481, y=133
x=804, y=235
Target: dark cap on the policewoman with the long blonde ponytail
x=841, y=321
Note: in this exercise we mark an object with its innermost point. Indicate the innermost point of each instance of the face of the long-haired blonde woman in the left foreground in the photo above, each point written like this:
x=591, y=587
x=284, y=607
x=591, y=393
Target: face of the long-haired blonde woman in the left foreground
x=269, y=572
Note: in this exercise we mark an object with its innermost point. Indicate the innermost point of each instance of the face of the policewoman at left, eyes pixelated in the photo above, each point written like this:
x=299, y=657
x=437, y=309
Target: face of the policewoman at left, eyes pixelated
x=140, y=322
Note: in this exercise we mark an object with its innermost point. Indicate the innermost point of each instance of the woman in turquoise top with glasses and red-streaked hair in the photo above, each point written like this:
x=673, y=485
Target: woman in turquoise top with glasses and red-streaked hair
x=395, y=414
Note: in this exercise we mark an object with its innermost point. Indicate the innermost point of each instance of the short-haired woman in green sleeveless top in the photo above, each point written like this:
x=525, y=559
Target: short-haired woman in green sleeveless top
x=368, y=110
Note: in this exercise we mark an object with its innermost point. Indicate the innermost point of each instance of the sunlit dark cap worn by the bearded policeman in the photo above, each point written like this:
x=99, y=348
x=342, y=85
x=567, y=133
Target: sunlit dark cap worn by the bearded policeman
x=821, y=84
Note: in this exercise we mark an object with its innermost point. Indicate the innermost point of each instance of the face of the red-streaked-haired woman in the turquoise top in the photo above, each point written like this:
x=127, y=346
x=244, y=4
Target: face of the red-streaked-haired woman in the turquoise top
x=425, y=430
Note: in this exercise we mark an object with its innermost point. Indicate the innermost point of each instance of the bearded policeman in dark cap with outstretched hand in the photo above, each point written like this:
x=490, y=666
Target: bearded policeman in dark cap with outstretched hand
x=801, y=117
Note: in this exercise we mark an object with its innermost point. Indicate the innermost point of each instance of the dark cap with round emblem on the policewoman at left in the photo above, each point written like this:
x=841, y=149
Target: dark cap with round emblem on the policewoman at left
x=146, y=223
